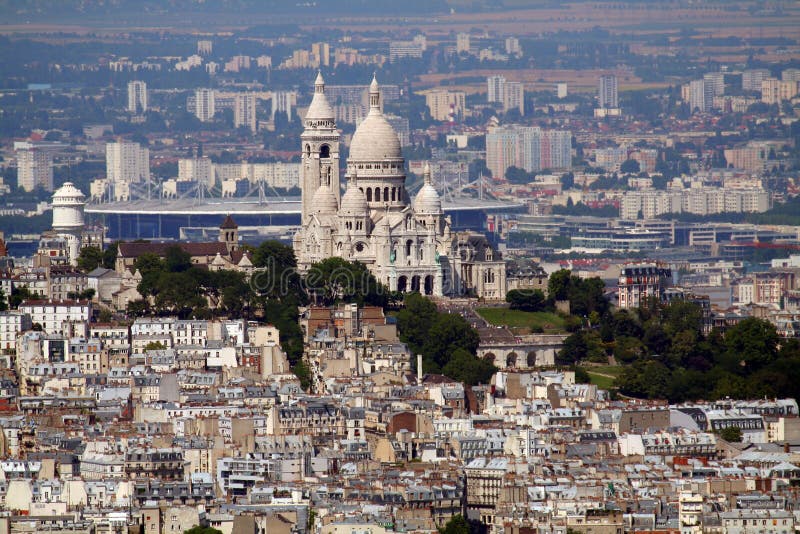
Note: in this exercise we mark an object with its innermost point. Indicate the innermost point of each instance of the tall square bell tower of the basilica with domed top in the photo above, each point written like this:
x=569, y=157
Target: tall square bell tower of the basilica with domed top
x=320, y=149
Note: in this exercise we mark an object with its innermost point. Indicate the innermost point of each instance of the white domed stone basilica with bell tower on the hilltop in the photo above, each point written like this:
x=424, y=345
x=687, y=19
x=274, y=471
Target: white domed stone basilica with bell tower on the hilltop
x=408, y=247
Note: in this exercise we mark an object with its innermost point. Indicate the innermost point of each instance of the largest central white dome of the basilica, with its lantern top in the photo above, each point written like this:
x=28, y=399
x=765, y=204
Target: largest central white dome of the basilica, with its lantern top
x=375, y=139
